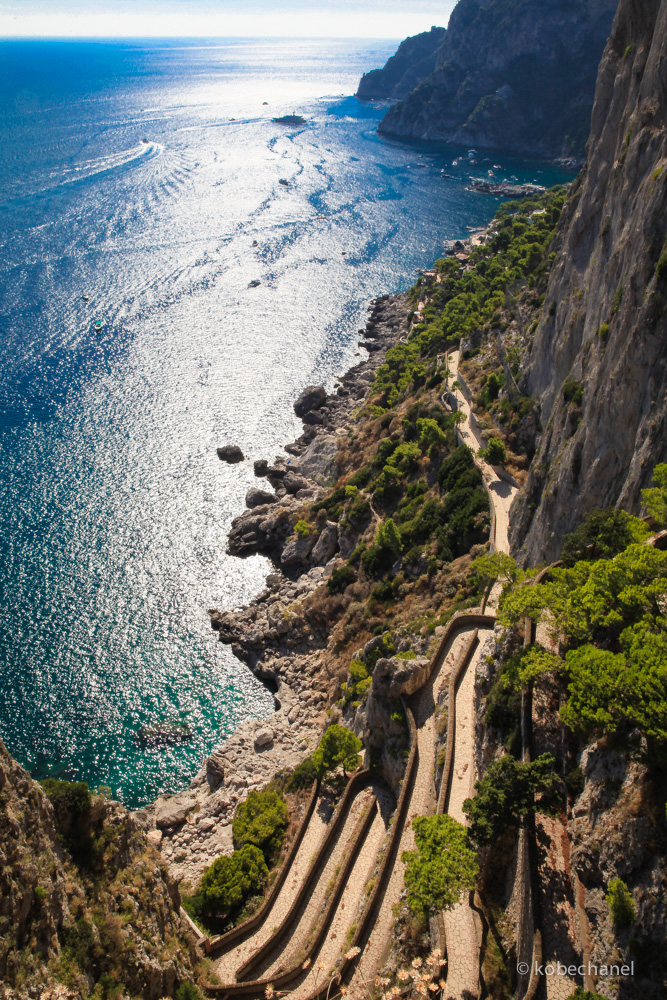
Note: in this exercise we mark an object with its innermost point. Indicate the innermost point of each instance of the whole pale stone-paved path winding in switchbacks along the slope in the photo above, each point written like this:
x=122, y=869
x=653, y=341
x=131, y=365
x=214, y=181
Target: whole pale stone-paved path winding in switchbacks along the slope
x=300, y=913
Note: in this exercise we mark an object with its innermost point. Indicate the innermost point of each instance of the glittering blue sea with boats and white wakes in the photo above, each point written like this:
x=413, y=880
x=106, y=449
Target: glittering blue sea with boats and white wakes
x=140, y=174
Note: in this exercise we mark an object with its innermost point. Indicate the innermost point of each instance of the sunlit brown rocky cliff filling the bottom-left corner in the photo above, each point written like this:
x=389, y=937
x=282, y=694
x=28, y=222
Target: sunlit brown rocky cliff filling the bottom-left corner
x=104, y=912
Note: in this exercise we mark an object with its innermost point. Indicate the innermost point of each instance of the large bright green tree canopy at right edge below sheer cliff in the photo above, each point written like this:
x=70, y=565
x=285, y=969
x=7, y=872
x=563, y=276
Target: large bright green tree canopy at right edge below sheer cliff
x=609, y=617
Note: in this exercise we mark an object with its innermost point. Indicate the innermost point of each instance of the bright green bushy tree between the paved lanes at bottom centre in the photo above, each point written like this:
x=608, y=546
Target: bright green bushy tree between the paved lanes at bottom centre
x=442, y=868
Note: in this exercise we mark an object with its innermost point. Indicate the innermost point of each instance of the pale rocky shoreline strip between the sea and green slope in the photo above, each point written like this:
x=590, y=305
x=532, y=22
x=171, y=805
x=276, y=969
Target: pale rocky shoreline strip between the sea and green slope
x=193, y=827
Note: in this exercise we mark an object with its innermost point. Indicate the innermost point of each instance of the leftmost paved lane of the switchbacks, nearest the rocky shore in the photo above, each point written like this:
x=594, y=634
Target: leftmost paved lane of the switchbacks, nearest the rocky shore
x=226, y=966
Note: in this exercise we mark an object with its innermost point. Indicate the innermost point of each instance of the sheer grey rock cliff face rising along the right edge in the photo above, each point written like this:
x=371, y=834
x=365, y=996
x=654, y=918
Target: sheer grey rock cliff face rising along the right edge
x=599, y=358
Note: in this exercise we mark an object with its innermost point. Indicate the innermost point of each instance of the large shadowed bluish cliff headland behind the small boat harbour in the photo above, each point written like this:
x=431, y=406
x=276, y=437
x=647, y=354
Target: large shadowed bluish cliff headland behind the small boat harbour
x=516, y=76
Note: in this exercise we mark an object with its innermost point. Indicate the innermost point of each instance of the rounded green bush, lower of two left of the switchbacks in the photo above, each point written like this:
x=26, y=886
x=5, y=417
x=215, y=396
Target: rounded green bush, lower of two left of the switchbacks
x=233, y=879
